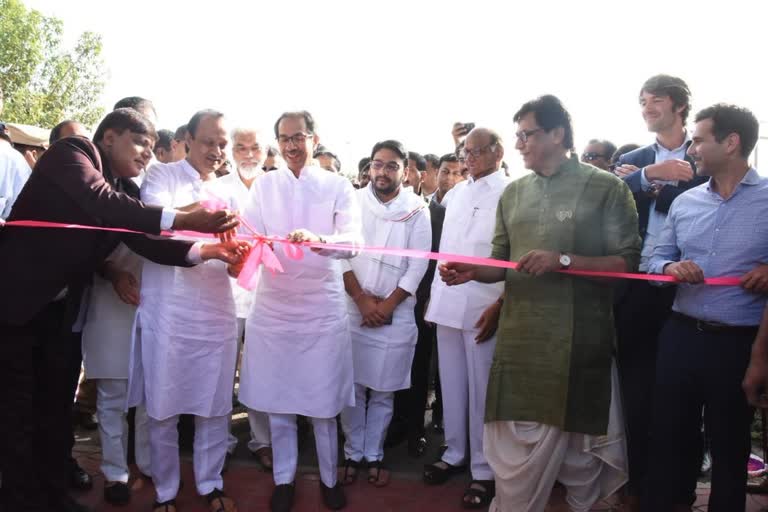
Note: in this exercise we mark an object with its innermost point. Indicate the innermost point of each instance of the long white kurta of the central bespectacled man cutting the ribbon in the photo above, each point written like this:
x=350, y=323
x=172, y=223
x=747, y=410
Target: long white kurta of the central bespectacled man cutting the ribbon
x=297, y=357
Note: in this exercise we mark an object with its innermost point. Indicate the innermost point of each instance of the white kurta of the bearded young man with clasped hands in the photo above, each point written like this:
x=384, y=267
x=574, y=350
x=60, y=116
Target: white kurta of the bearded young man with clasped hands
x=383, y=355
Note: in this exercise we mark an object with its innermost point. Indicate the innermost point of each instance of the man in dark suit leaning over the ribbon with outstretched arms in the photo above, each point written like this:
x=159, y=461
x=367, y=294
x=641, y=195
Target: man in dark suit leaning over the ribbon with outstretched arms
x=75, y=182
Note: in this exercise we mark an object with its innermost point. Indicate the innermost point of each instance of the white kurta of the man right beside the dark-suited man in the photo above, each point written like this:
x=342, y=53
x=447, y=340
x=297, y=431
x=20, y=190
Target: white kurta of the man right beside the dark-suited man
x=184, y=353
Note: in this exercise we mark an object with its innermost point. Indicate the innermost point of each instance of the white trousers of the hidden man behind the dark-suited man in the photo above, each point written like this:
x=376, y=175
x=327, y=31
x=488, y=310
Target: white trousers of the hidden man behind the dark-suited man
x=111, y=397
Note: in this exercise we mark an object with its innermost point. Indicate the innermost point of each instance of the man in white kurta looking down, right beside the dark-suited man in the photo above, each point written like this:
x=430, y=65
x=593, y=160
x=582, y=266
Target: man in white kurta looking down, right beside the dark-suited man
x=187, y=341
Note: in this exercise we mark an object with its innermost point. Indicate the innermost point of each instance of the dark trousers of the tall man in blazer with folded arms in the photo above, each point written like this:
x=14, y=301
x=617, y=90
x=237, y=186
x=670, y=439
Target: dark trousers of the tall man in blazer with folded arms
x=640, y=316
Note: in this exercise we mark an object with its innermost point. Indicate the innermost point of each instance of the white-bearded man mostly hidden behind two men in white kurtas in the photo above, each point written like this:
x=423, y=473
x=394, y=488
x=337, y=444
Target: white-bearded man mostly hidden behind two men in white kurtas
x=249, y=149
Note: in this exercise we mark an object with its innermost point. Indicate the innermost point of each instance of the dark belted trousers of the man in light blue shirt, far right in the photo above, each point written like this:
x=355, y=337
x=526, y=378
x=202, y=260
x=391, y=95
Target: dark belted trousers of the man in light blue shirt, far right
x=699, y=373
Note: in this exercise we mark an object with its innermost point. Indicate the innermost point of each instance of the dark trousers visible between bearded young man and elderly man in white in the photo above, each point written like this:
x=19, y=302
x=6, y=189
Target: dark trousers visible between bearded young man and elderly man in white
x=410, y=404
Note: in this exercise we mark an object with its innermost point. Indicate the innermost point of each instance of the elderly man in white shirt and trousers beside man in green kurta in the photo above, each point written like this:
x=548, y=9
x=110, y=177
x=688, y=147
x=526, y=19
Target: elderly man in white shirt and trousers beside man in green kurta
x=467, y=317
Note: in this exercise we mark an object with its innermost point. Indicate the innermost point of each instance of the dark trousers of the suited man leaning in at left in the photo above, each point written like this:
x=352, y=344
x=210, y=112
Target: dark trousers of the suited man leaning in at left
x=36, y=424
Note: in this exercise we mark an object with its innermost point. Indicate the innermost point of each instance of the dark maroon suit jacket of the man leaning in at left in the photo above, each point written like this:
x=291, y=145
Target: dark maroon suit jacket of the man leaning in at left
x=71, y=185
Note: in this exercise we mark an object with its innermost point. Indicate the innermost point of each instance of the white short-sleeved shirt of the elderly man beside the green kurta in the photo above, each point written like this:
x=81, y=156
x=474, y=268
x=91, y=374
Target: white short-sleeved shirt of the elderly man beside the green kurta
x=470, y=220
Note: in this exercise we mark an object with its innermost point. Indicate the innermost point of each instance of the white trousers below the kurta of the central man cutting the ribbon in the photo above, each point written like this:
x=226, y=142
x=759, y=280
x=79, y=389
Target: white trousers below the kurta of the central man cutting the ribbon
x=286, y=452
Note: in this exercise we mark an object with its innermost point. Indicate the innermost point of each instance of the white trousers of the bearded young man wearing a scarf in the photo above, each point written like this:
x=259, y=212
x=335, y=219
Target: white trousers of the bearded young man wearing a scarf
x=365, y=430
